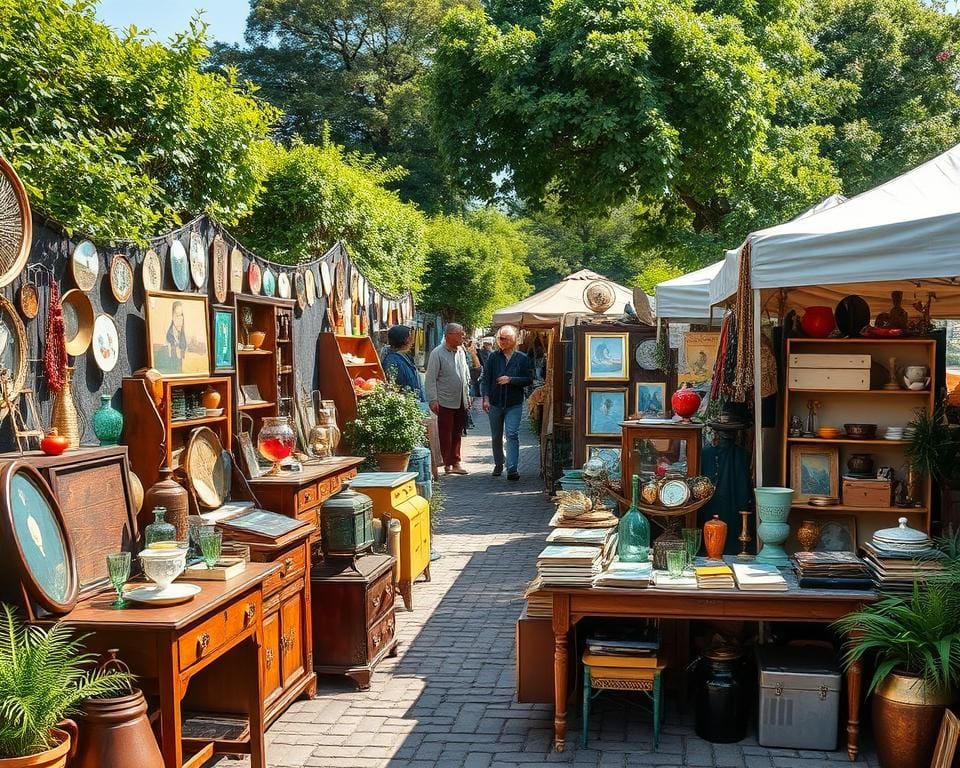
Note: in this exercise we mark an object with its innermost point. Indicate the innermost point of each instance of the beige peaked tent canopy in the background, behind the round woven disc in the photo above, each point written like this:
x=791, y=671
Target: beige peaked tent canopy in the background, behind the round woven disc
x=563, y=302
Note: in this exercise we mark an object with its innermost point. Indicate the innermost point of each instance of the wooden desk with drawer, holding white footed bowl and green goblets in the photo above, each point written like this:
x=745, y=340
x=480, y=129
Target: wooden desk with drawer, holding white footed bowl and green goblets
x=175, y=648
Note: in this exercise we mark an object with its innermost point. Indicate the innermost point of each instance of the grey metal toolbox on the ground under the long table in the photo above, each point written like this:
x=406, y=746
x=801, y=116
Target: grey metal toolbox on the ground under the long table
x=799, y=697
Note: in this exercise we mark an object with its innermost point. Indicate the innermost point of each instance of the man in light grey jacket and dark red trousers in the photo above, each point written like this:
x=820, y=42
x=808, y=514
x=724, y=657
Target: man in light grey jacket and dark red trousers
x=447, y=381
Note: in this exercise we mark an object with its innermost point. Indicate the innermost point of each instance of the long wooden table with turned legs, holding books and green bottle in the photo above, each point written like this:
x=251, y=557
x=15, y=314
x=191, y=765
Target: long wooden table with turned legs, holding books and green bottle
x=570, y=605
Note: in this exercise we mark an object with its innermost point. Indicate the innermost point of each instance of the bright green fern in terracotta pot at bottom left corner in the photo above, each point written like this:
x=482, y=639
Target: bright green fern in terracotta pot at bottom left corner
x=44, y=677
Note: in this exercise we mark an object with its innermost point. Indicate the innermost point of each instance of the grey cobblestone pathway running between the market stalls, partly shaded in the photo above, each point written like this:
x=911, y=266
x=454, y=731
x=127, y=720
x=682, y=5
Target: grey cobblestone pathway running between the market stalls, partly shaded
x=447, y=699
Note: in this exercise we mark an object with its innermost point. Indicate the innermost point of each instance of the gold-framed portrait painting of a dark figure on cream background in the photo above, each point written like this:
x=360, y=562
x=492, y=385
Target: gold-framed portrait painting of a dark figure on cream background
x=178, y=337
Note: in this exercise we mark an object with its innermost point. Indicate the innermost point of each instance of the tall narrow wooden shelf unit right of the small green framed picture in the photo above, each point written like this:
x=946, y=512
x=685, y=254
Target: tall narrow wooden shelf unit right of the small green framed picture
x=271, y=366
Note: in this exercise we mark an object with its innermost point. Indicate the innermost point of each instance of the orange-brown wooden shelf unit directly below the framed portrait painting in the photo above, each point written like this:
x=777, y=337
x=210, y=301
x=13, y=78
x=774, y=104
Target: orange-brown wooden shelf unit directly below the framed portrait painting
x=153, y=437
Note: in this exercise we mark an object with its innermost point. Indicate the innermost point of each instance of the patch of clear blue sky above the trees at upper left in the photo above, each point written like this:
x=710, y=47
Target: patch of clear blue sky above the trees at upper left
x=227, y=18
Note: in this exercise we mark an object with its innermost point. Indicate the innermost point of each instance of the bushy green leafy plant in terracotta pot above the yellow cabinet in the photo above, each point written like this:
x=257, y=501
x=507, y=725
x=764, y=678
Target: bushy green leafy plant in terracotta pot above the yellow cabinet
x=388, y=426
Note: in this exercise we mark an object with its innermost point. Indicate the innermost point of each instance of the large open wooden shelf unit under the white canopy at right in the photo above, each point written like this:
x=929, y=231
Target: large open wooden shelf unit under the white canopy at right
x=886, y=408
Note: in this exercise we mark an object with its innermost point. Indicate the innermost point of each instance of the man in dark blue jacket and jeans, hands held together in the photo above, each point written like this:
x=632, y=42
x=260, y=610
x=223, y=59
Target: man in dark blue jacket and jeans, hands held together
x=506, y=373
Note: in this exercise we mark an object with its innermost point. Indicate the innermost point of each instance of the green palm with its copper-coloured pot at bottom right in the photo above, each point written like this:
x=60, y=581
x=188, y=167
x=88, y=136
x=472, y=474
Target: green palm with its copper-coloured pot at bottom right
x=916, y=642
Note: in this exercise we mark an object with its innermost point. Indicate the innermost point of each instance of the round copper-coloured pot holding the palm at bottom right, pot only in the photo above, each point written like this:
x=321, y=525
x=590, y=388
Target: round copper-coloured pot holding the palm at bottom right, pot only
x=906, y=721
